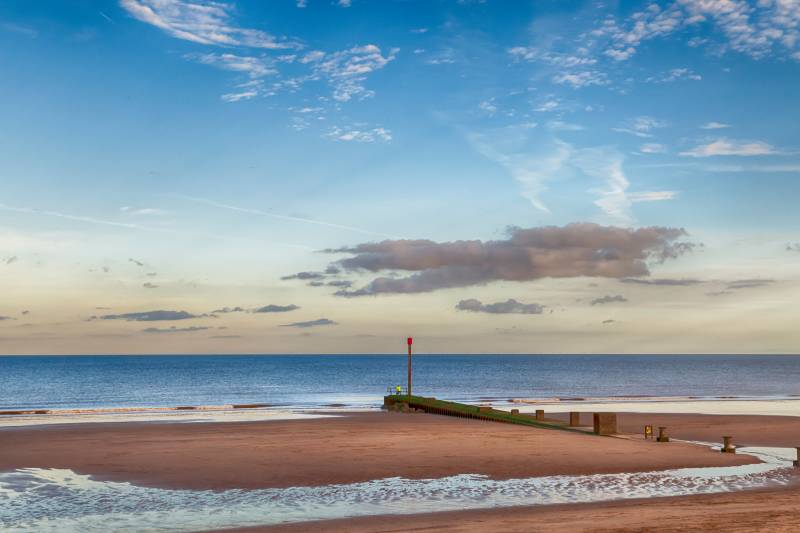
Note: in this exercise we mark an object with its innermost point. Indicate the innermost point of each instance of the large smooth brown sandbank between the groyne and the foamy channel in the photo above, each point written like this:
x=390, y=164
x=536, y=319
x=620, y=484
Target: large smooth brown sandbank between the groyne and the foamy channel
x=346, y=449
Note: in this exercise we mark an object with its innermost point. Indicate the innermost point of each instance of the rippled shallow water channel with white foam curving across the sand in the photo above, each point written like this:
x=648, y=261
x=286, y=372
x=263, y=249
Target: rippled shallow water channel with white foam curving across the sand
x=61, y=500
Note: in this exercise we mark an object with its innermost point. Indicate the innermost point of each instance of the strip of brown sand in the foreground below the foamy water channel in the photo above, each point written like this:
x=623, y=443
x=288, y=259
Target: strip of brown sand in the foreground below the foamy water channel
x=774, y=511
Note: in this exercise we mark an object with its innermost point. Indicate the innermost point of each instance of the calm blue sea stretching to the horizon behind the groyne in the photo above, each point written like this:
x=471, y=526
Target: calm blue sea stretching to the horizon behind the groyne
x=361, y=380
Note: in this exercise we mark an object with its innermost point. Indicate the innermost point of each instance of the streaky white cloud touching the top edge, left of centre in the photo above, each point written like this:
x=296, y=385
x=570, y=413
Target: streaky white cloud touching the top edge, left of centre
x=201, y=22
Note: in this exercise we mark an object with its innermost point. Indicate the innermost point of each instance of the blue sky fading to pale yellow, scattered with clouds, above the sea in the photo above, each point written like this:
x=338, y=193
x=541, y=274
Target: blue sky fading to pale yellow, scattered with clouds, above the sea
x=331, y=176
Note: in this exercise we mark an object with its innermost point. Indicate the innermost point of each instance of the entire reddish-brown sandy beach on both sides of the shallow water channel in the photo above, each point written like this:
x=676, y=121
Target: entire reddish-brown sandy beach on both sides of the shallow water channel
x=357, y=447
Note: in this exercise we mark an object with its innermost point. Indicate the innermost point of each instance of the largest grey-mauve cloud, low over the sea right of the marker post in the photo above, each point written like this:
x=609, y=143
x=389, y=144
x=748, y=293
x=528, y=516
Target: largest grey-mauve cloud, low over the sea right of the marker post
x=575, y=250
